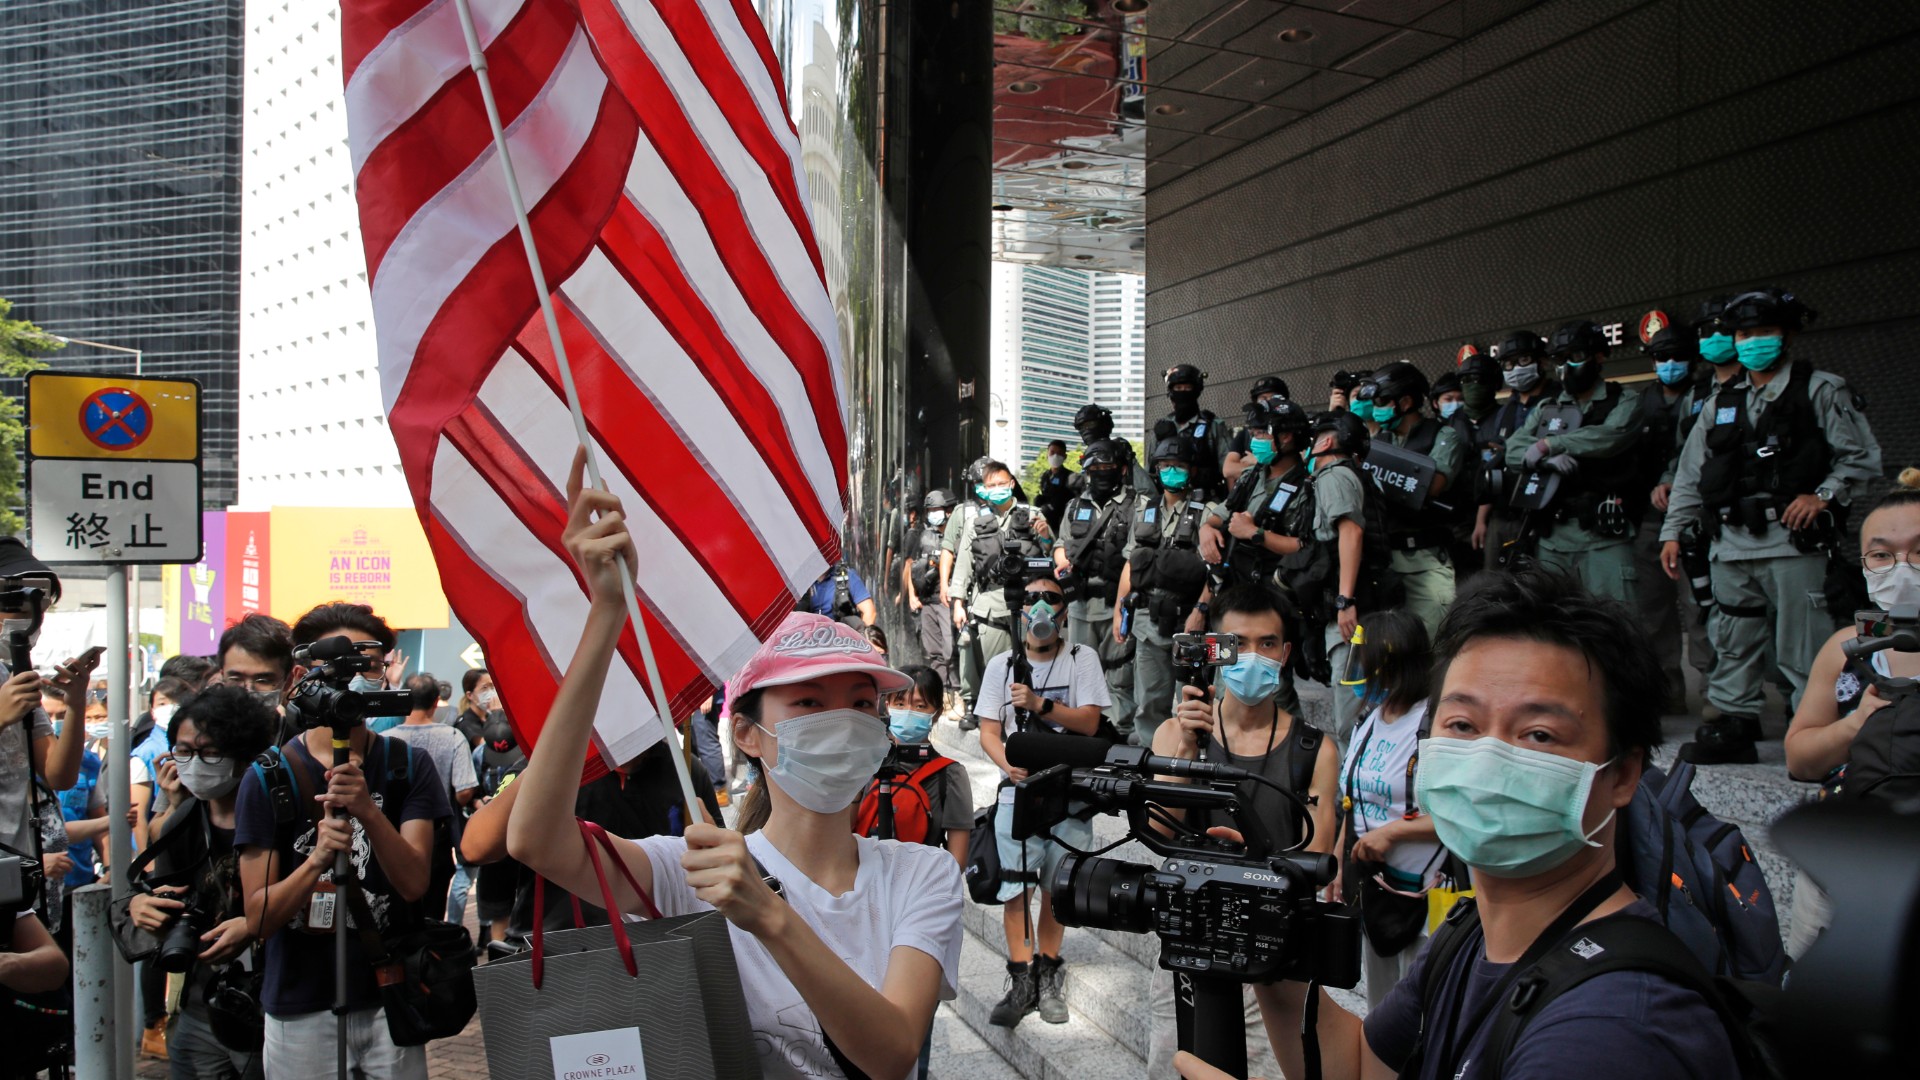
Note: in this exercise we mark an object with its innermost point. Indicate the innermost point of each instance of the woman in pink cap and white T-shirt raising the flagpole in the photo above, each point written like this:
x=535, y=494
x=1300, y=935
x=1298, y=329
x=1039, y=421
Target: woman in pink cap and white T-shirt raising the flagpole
x=809, y=706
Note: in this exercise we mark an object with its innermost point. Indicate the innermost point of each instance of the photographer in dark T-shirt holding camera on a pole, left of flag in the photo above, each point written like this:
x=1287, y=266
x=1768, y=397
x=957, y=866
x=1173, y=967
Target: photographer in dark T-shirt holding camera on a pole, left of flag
x=379, y=808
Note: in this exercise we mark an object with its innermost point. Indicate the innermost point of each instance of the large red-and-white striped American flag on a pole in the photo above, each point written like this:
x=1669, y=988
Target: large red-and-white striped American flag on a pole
x=663, y=184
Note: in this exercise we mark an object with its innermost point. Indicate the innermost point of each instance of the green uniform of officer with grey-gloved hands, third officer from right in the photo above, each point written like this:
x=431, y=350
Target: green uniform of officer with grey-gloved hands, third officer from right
x=1602, y=564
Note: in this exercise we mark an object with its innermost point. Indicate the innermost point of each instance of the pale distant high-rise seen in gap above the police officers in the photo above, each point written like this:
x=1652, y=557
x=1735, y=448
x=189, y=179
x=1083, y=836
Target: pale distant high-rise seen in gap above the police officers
x=1063, y=339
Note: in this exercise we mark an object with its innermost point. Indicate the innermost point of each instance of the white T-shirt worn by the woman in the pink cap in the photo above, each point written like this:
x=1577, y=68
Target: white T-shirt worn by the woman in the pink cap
x=905, y=895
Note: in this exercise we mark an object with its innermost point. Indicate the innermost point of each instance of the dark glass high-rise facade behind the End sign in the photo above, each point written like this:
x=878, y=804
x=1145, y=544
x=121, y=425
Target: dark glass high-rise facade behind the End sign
x=120, y=191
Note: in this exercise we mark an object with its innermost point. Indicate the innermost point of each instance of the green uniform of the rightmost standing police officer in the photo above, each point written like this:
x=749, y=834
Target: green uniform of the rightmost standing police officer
x=1765, y=589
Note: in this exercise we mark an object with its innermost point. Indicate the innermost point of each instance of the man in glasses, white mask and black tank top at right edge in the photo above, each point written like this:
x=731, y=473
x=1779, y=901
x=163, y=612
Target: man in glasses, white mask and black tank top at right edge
x=1831, y=739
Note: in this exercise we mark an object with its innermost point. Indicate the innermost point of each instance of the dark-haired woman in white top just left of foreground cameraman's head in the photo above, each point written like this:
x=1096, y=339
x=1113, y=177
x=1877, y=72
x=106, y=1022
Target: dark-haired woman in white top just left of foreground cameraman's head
x=1389, y=850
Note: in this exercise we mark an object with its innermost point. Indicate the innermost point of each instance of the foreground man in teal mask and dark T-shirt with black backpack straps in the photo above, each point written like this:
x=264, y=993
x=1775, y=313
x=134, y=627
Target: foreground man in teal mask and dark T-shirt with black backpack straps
x=1547, y=708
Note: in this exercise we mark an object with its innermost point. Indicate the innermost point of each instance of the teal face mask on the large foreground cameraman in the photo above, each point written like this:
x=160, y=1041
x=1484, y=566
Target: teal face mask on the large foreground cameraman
x=1506, y=810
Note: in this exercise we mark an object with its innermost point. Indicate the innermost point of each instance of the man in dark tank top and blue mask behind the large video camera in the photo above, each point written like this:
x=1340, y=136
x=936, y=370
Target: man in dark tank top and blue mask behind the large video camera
x=1239, y=722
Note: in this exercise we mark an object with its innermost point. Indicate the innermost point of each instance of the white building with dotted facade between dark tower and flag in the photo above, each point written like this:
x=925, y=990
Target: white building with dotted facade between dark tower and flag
x=312, y=422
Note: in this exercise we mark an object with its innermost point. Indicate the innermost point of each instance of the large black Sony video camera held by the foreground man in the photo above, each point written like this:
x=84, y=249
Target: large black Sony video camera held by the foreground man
x=1222, y=910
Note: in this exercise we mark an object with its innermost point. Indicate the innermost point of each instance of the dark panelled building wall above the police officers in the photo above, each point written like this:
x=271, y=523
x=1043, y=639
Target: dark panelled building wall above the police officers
x=1583, y=159
